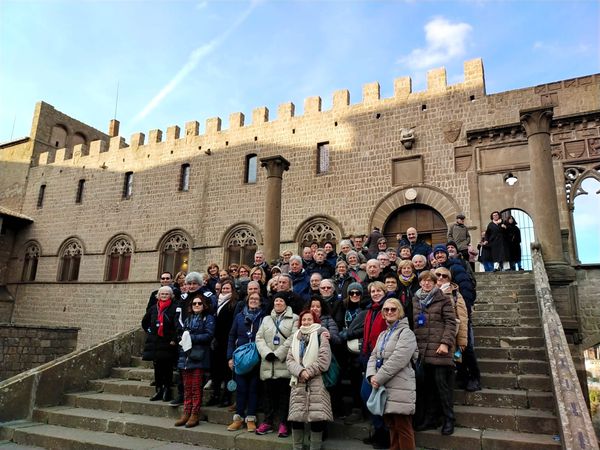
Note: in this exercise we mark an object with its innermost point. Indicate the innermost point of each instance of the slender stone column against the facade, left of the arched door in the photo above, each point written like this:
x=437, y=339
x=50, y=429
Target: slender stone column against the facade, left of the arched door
x=275, y=166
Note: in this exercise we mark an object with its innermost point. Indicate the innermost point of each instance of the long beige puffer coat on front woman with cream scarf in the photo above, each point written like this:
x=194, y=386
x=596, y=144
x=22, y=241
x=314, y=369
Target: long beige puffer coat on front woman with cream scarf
x=310, y=402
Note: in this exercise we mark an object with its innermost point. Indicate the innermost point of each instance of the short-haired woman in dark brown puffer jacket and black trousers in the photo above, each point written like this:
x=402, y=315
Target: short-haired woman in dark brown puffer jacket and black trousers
x=435, y=329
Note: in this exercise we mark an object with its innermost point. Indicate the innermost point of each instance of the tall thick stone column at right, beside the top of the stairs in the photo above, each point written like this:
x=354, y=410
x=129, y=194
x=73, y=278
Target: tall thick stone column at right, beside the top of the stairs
x=546, y=221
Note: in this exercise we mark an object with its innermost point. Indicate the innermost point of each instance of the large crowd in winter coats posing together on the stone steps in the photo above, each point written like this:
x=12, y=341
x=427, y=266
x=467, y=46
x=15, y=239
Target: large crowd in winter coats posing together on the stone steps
x=393, y=319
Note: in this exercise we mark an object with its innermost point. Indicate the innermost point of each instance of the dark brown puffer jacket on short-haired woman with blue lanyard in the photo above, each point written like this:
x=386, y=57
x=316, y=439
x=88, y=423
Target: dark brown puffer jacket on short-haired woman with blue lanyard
x=439, y=328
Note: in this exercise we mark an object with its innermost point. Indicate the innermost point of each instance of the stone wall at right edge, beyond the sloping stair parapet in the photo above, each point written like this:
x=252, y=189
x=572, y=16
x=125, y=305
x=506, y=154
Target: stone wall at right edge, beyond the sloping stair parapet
x=588, y=287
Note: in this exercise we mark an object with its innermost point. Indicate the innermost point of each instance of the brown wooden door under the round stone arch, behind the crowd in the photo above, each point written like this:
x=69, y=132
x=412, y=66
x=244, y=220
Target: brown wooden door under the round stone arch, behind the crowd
x=429, y=223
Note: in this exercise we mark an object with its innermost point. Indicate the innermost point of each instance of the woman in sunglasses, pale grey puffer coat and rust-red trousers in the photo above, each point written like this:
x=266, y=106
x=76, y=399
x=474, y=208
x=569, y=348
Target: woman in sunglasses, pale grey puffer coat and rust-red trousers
x=390, y=366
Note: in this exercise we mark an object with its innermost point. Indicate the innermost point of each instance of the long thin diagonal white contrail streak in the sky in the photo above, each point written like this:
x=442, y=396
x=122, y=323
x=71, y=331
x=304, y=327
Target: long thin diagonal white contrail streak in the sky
x=192, y=62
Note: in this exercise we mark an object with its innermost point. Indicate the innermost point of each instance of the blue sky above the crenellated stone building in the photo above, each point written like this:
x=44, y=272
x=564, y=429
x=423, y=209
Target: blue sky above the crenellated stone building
x=176, y=61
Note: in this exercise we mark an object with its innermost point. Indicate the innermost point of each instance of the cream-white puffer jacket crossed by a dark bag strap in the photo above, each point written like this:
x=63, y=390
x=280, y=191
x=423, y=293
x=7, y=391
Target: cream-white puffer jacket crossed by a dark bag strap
x=264, y=343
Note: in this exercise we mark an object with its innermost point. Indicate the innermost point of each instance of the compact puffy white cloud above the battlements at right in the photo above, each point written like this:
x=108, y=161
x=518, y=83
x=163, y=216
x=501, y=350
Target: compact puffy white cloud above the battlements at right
x=445, y=41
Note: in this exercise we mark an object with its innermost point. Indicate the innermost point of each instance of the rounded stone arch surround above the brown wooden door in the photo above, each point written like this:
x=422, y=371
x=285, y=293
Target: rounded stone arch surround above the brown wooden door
x=430, y=196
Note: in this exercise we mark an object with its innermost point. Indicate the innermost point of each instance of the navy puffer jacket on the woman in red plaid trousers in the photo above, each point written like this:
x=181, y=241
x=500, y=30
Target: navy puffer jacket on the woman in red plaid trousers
x=202, y=331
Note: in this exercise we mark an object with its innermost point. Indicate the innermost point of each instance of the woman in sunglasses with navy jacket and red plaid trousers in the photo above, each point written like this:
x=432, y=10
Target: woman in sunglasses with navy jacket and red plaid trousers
x=194, y=362
